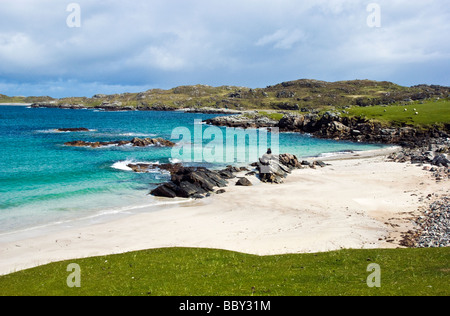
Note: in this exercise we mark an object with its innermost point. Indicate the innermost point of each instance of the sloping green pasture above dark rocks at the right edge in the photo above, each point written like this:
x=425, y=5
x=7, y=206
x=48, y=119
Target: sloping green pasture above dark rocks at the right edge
x=429, y=113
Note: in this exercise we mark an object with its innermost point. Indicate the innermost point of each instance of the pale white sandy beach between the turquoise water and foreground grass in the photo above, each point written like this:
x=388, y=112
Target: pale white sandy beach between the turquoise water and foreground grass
x=359, y=201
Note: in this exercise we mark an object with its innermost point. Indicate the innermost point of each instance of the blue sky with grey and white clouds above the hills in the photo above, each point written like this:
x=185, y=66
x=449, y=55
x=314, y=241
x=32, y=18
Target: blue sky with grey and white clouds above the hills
x=131, y=46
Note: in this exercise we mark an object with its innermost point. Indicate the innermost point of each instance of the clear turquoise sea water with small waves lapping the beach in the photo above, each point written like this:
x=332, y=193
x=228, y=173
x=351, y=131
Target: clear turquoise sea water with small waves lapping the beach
x=43, y=181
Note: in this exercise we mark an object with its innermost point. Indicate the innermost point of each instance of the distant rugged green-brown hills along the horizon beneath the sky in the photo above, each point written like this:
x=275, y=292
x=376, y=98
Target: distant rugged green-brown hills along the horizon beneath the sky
x=298, y=95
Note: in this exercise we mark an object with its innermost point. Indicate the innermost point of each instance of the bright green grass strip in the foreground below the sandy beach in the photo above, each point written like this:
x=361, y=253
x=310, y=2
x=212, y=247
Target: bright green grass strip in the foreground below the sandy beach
x=203, y=272
